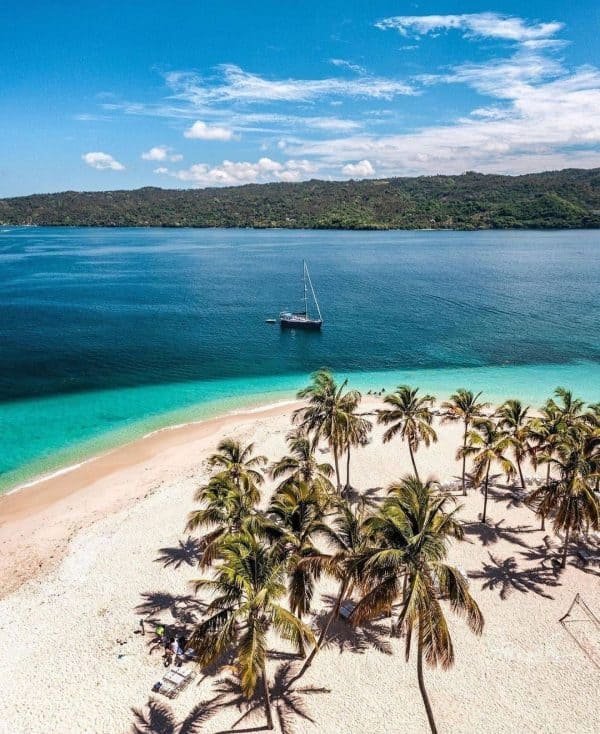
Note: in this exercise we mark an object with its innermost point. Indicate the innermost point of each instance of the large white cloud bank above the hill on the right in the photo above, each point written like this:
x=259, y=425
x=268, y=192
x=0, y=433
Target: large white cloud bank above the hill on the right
x=540, y=126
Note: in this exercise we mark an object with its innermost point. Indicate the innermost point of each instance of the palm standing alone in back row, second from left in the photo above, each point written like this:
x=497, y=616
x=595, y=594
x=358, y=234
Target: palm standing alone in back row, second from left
x=411, y=417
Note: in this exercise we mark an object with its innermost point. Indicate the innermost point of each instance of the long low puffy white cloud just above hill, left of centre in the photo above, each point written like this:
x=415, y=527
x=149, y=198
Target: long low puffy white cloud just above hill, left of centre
x=233, y=173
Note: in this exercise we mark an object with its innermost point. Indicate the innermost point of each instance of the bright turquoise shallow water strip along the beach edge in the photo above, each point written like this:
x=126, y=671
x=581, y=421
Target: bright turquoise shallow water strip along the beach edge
x=57, y=431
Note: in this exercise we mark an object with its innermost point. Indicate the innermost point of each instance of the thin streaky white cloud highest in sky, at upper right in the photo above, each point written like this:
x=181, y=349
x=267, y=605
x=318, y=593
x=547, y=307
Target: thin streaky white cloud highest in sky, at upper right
x=482, y=25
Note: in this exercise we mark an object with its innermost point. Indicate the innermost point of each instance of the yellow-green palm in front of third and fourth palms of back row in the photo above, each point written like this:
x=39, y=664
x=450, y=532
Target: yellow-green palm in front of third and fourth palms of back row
x=487, y=444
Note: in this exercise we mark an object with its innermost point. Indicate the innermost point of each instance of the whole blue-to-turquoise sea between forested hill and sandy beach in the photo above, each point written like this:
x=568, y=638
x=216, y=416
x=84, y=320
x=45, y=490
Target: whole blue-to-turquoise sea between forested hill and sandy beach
x=107, y=334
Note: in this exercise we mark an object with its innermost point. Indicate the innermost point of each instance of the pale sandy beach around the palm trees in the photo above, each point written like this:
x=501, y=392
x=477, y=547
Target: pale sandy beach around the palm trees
x=87, y=554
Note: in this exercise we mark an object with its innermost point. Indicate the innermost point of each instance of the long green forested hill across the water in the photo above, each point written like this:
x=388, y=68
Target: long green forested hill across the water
x=569, y=198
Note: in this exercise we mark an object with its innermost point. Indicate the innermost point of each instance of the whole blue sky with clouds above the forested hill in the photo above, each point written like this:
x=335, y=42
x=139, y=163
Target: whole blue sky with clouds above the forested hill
x=106, y=95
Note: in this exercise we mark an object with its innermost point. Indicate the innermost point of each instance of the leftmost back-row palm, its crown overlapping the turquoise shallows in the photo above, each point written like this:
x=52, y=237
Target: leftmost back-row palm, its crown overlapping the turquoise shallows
x=327, y=413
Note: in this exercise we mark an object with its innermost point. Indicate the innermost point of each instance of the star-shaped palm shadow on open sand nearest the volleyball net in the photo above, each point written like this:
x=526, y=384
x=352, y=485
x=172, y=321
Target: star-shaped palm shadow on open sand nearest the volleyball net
x=506, y=576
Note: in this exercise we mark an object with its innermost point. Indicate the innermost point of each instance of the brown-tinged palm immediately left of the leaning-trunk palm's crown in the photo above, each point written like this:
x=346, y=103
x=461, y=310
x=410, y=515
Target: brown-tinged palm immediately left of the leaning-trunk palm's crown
x=297, y=511
